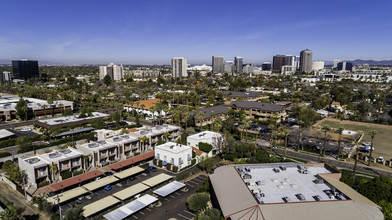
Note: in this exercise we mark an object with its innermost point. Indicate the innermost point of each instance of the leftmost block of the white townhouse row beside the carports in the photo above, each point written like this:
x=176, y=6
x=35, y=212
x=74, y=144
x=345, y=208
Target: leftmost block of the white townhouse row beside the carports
x=38, y=170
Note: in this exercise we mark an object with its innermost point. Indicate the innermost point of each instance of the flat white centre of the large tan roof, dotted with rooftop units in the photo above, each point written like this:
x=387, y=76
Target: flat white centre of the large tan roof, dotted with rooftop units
x=287, y=183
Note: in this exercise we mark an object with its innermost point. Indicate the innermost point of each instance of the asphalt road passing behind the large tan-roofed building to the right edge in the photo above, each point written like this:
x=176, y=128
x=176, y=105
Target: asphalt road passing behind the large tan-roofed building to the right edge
x=341, y=164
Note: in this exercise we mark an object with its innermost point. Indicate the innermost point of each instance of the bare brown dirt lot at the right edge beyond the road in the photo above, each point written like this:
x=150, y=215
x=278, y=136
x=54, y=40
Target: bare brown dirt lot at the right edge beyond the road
x=382, y=141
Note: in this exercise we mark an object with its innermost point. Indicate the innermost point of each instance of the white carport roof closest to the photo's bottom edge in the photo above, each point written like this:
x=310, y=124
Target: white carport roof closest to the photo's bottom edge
x=130, y=208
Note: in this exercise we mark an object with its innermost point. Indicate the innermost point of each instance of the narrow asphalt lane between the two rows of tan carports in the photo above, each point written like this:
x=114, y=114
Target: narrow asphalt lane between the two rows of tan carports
x=102, y=193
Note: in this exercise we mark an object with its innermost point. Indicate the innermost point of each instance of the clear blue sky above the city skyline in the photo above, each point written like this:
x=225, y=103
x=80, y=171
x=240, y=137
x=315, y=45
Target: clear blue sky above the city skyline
x=152, y=32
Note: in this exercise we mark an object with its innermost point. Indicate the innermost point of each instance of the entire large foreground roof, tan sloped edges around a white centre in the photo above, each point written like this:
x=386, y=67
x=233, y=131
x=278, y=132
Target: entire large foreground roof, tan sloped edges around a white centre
x=239, y=196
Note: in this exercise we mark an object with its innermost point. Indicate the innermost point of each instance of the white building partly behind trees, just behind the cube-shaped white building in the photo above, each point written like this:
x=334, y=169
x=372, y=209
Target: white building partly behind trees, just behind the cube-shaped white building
x=209, y=137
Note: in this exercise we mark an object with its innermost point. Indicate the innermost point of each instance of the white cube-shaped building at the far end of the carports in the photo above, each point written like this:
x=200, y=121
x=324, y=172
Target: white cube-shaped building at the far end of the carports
x=173, y=153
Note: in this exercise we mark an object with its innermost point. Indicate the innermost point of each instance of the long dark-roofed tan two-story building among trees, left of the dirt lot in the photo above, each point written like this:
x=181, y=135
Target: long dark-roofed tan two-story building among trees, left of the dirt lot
x=260, y=110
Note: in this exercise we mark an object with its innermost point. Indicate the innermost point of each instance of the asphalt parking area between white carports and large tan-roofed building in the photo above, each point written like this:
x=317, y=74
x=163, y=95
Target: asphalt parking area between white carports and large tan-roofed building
x=174, y=205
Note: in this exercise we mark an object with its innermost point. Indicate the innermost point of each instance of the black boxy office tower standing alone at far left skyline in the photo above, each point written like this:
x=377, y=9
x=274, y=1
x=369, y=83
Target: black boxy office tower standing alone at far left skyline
x=25, y=69
